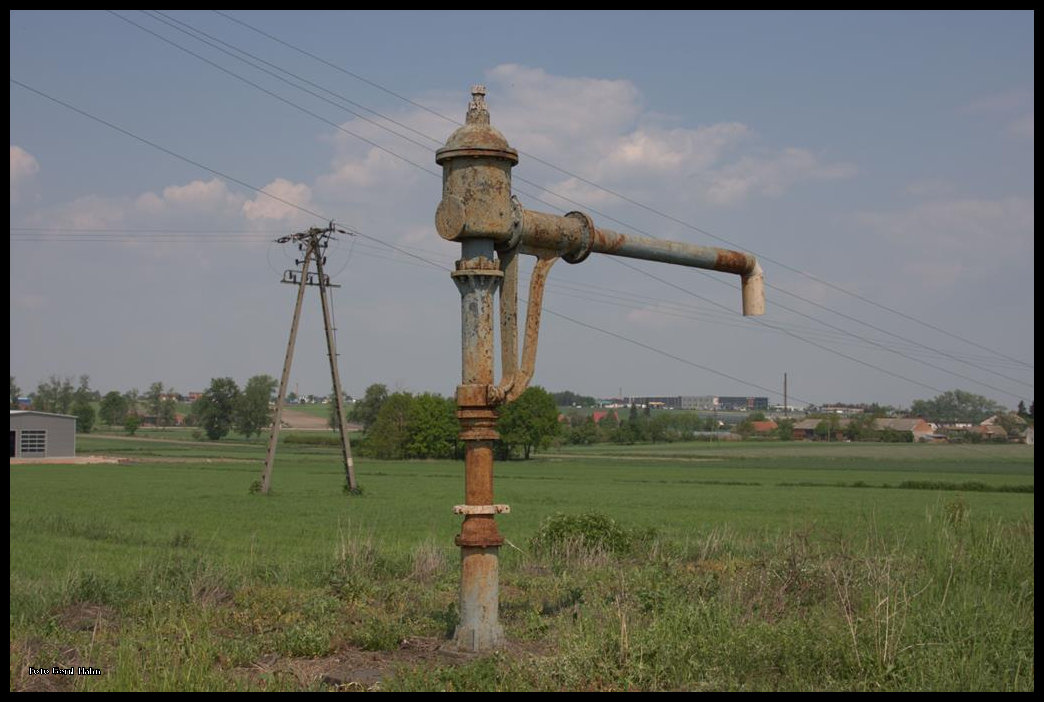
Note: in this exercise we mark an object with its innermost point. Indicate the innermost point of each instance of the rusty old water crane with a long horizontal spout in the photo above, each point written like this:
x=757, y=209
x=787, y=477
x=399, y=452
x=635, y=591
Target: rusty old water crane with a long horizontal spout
x=479, y=210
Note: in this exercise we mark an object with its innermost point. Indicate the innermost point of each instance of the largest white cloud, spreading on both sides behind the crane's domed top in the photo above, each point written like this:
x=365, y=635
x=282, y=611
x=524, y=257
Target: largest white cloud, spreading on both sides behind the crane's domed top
x=597, y=131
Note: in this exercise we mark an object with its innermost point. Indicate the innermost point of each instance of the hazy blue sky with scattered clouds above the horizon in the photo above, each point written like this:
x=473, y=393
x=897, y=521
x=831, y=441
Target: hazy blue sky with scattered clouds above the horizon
x=879, y=165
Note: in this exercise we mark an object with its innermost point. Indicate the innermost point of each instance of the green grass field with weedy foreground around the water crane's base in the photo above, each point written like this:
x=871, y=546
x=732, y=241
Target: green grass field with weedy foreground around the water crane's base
x=739, y=567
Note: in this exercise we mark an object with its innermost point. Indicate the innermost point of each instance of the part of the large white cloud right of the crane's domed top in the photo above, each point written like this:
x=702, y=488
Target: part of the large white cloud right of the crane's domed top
x=600, y=130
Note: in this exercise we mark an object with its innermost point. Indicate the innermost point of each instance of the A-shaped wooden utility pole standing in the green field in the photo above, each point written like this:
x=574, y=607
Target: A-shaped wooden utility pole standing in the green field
x=314, y=245
